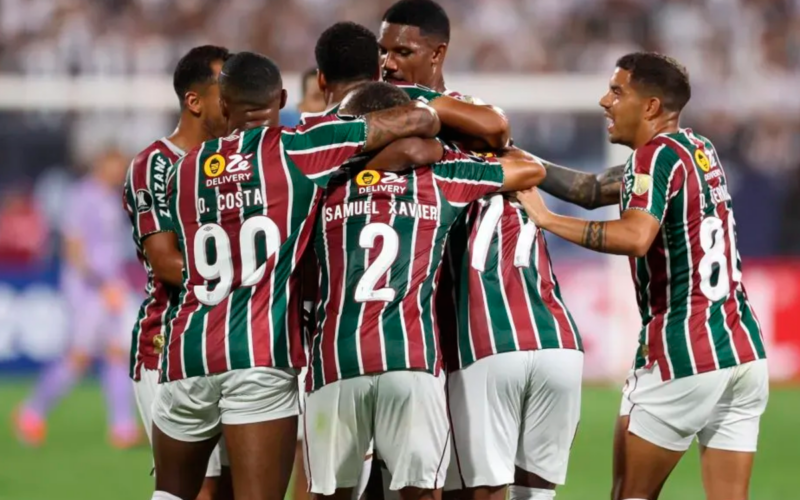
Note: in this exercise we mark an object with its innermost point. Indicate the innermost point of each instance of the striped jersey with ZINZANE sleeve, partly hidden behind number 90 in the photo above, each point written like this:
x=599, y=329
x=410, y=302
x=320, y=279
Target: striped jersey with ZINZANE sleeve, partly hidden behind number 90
x=145, y=201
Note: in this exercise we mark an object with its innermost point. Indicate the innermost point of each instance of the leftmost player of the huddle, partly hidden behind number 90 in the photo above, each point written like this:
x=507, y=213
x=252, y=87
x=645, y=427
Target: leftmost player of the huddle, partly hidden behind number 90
x=145, y=200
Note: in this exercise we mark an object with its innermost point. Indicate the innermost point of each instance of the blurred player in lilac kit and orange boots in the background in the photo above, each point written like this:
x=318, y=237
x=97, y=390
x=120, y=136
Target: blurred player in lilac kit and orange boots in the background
x=93, y=282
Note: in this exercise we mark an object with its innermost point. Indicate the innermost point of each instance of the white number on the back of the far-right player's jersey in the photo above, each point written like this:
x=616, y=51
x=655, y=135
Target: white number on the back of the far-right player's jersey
x=712, y=240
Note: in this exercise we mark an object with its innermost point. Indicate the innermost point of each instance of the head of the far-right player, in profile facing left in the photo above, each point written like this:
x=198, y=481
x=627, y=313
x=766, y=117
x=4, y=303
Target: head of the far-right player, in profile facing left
x=646, y=91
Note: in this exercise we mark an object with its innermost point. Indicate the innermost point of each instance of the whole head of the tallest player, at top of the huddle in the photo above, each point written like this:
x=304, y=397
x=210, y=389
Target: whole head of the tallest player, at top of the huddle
x=413, y=41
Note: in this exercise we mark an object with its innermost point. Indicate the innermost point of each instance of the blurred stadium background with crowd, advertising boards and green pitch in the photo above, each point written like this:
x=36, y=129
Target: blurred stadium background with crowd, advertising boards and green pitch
x=80, y=77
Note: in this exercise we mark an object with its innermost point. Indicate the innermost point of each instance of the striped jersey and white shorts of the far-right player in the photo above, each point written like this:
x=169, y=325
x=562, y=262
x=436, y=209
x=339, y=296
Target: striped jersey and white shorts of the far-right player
x=700, y=369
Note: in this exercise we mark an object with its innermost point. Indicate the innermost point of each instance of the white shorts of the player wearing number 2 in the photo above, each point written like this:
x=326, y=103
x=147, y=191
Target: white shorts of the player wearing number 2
x=404, y=411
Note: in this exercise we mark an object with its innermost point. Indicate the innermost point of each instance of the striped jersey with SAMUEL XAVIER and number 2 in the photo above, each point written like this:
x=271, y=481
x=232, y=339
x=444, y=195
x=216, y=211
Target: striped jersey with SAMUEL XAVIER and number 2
x=379, y=241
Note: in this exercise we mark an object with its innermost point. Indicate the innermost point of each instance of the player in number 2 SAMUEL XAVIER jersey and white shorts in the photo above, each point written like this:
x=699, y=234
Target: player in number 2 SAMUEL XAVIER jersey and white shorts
x=375, y=362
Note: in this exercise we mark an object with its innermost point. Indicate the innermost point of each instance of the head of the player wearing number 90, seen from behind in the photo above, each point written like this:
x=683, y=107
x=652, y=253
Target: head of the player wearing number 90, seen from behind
x=250, y=82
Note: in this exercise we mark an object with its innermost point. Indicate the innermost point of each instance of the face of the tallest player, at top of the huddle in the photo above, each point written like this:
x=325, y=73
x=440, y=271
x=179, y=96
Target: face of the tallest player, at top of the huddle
x=405, y=54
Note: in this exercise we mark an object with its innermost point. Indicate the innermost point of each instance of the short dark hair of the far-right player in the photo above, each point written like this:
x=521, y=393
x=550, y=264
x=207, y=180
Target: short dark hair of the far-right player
x=661, y=75
